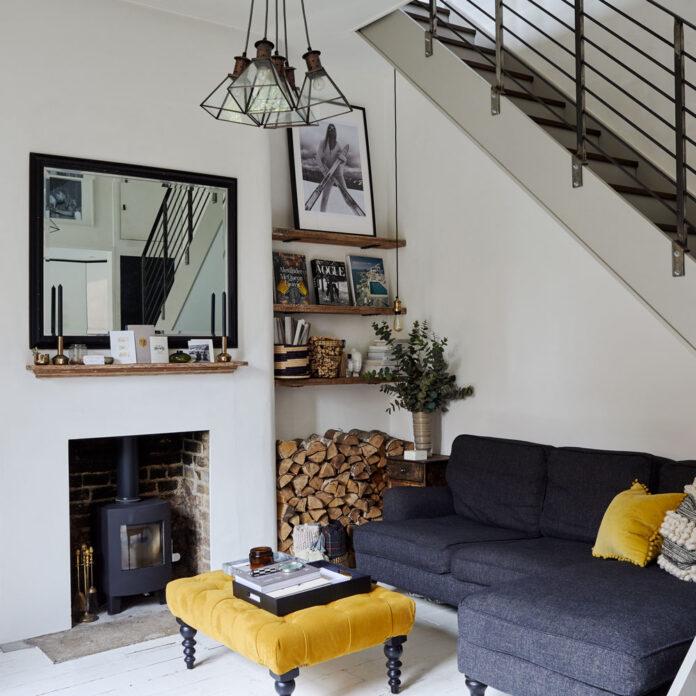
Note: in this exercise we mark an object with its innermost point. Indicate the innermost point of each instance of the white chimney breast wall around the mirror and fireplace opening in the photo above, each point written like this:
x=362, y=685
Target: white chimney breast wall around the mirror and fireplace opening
x=109, y=80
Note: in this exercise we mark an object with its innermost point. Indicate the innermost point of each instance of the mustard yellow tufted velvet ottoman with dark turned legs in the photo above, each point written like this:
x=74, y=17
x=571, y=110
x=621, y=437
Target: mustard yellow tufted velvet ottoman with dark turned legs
x=283, y=644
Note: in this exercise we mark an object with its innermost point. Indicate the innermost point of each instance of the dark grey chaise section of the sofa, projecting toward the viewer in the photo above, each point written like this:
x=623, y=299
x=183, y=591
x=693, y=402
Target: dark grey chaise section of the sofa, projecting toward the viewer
x=611, y=626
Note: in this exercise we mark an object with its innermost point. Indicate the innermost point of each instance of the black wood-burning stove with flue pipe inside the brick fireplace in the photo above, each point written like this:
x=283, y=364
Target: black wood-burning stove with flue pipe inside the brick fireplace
x=135, y=549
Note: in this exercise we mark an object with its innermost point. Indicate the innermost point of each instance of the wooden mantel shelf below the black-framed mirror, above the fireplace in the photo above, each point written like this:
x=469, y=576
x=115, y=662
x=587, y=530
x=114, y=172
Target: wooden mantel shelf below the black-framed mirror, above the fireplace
x=42, y=371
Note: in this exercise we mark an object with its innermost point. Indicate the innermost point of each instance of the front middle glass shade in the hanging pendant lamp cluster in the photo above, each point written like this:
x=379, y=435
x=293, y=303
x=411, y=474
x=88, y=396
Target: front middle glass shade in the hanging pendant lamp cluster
x=261, y=89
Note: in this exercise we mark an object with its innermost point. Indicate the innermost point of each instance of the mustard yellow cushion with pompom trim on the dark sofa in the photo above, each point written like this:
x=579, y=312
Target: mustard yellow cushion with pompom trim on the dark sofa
x=630, y=529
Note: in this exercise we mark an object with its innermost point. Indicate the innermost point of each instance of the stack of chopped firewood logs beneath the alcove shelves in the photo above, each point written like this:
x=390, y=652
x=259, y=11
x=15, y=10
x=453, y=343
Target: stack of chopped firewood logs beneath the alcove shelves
x=340, y=476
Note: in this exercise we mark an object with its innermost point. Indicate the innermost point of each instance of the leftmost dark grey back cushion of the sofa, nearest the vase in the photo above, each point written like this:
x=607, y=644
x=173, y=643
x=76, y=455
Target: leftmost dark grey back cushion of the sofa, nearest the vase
x=498, y=482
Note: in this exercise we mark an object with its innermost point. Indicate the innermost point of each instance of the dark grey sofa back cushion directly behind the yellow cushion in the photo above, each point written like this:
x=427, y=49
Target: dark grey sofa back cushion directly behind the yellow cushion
x=581, y=484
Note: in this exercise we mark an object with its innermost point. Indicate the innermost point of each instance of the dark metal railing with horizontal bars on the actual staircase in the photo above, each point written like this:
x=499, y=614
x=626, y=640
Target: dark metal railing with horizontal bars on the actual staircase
x=676, y=151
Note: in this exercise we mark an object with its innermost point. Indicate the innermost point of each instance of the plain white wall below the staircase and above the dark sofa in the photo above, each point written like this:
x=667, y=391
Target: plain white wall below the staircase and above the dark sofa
x=558, y=349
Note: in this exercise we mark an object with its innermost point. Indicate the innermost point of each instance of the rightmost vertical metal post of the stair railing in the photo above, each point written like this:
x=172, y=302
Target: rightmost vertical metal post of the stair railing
x=680, y=245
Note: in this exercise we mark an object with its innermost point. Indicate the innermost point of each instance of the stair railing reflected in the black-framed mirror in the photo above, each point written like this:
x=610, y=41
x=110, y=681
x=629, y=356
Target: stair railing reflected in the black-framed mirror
x=168, y=245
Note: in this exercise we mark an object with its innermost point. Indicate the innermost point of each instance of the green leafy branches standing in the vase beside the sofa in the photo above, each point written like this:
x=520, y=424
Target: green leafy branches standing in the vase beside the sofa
x=420, y=381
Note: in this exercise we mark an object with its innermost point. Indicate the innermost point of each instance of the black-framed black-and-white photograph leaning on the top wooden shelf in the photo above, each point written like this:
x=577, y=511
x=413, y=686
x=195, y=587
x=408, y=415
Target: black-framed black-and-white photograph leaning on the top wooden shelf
x=331, y=176
